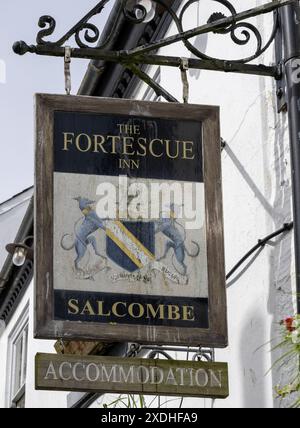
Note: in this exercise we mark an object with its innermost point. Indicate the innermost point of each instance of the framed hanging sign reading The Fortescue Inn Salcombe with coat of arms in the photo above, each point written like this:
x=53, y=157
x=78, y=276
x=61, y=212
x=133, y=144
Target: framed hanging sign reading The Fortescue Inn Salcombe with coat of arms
x=129, y=229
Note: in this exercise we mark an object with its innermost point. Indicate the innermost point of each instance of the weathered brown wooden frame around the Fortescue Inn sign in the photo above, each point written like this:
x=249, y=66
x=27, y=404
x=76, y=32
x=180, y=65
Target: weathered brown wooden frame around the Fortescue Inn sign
x=46, y=327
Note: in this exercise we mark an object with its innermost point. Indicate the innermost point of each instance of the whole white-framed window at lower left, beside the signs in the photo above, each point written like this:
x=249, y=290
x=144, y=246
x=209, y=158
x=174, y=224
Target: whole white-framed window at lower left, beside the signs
x=17, y=362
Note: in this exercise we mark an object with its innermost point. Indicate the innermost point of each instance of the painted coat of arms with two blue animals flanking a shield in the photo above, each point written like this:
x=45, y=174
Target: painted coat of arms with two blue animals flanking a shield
x=129, y=245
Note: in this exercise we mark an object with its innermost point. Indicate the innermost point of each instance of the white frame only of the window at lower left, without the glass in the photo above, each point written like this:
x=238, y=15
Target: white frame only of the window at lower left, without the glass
x=19, y=332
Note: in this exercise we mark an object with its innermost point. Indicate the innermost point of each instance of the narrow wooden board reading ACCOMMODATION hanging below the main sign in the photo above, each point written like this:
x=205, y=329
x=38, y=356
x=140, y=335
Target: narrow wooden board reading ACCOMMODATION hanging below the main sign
x=131, y=376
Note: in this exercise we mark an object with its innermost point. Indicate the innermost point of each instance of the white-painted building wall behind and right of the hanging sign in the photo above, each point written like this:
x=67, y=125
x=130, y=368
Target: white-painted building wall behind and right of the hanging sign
x=257, y=201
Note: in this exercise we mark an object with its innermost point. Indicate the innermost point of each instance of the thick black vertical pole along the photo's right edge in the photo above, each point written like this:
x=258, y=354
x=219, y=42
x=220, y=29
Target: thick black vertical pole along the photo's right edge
x=291, y=34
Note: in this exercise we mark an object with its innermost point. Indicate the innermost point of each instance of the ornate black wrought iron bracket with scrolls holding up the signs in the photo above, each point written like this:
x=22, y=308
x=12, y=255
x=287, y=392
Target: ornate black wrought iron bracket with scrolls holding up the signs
x=87, y=34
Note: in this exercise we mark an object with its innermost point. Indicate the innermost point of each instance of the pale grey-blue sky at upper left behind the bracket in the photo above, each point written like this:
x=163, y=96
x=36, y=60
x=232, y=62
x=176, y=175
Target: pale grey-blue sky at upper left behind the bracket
x=23, y=76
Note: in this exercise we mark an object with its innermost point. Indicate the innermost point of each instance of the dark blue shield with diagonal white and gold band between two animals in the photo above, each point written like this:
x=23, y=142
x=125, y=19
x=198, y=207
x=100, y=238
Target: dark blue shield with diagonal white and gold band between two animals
x=131, y=245
